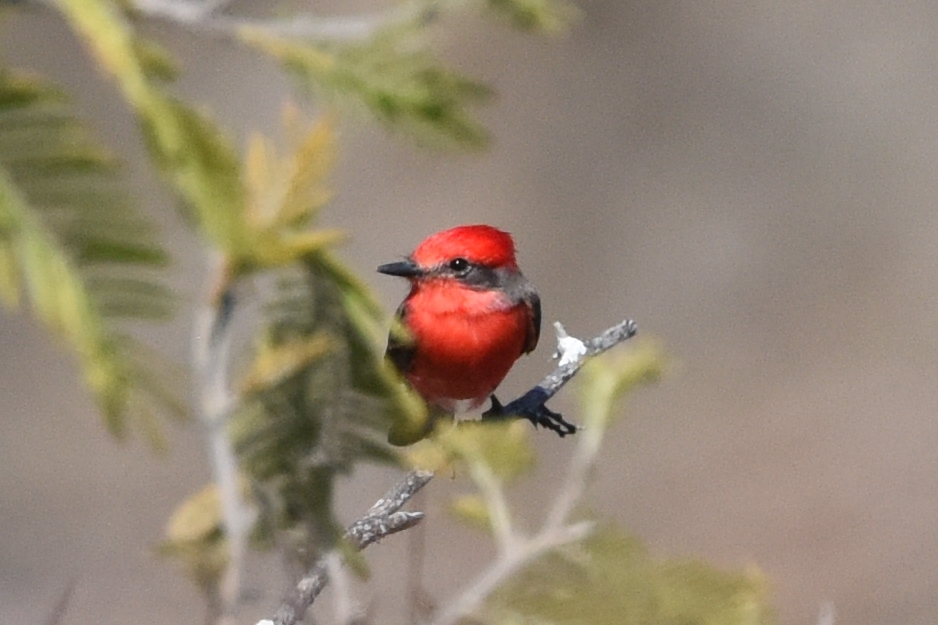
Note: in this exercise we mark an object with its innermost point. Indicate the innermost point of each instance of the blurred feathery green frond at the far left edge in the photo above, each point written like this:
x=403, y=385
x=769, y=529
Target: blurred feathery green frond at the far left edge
x=87, y=259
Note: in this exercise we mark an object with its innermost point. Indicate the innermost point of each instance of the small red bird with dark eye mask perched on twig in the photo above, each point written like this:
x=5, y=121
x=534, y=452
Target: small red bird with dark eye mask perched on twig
x=470, y=315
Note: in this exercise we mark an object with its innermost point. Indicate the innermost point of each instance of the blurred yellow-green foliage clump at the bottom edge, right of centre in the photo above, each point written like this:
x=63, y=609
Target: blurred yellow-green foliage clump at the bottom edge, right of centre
x=611, y=578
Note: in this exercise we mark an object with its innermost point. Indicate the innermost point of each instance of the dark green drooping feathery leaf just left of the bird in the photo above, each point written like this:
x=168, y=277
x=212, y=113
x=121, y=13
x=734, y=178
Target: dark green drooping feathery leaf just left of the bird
x=297, y=434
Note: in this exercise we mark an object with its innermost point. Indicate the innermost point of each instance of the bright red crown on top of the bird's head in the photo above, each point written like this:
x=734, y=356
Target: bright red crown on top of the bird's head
x=480, y=244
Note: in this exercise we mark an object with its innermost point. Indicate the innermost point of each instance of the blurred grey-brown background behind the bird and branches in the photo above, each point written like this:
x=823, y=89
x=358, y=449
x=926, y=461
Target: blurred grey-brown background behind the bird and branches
x=753, y=182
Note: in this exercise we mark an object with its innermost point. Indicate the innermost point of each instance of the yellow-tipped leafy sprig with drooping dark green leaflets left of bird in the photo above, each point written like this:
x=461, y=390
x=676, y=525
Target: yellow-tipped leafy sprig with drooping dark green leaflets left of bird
x=319, y=397
